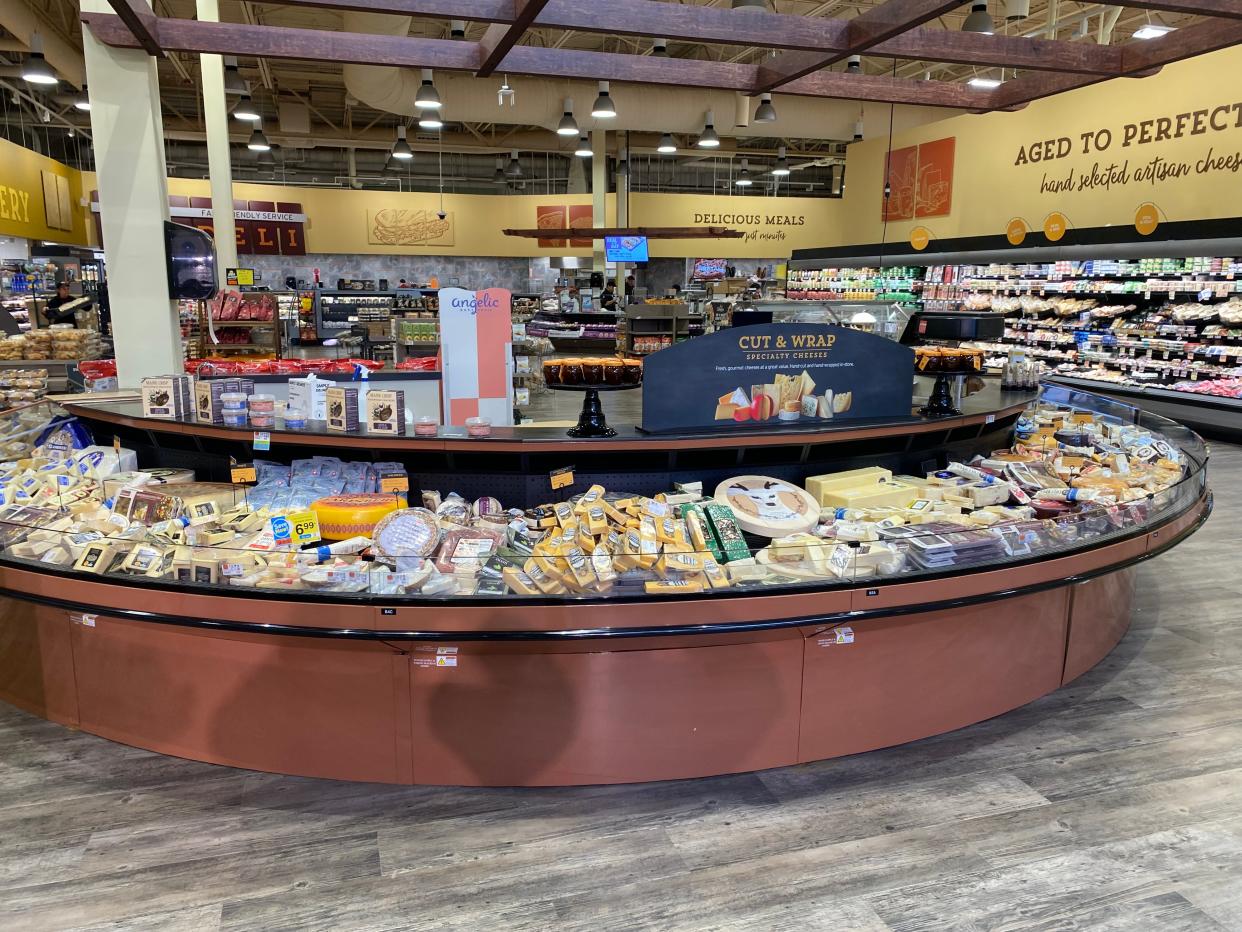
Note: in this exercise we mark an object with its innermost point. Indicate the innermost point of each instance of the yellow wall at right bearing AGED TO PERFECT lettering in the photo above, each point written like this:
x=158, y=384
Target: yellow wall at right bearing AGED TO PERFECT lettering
x=990, y=190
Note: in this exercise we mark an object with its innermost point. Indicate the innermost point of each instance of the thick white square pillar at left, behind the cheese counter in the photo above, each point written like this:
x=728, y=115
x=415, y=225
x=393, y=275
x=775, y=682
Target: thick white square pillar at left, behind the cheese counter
x=134, y=206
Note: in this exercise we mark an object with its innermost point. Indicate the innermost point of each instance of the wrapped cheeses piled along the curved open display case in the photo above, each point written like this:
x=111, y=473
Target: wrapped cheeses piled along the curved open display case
x=326, y=525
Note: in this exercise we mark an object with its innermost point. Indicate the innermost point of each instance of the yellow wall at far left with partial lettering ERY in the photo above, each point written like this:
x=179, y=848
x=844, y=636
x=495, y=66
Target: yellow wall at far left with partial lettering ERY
x=22, y=198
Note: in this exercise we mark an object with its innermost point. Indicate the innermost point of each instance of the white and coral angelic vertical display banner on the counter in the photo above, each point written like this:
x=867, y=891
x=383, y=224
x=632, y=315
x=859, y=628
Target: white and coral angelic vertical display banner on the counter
x=476, y=350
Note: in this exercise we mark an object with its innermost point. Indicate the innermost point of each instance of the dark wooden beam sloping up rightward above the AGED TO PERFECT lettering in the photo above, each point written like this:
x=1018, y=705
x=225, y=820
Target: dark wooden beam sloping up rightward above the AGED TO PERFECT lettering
x=1138, y=59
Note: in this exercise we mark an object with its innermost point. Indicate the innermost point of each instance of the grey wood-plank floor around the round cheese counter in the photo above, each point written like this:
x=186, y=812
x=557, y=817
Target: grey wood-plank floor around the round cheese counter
x=1113, y=805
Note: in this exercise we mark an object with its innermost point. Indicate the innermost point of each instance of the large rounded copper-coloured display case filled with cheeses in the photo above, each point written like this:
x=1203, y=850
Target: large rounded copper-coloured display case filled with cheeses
x=432, y=610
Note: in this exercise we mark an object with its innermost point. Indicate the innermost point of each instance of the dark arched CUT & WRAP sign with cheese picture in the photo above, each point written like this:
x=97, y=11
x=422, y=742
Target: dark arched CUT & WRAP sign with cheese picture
x=777, y=377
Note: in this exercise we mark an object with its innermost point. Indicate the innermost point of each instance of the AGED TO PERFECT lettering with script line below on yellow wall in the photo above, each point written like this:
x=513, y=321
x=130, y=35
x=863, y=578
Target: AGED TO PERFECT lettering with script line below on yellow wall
x=1120, y=156
